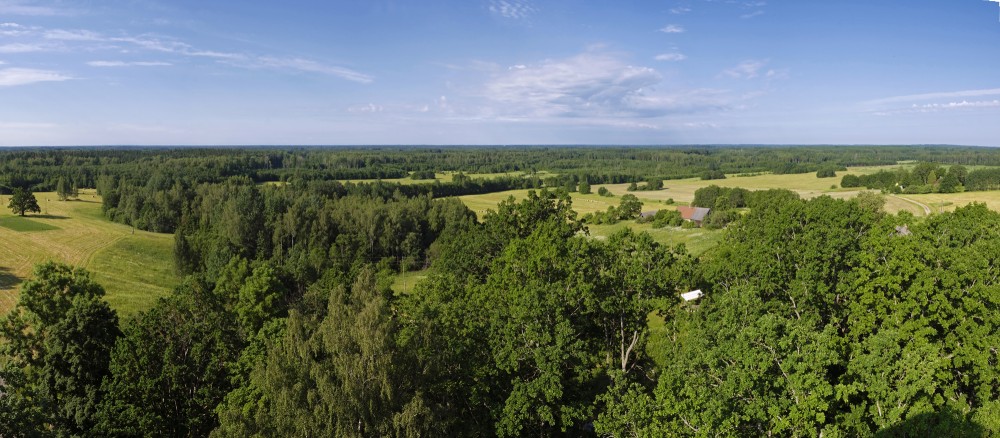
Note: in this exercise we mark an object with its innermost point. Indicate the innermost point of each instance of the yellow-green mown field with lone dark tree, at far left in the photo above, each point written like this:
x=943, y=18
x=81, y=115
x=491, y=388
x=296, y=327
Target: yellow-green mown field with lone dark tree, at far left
x=134, y=269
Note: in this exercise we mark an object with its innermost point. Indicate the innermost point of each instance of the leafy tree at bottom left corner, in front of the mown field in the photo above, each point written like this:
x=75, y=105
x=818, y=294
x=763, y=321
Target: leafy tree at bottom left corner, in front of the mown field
x=54, y=354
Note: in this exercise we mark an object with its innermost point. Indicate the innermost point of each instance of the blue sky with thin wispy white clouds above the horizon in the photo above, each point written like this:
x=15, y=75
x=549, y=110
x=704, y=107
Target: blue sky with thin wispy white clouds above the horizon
x=499, y=72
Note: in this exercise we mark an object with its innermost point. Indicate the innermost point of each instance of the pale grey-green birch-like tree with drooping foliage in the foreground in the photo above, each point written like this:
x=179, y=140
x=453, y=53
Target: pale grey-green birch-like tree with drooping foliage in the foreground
x=334, y=376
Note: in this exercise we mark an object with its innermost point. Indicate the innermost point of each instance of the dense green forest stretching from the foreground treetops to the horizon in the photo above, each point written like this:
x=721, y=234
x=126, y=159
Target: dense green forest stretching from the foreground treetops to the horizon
x=820, y=317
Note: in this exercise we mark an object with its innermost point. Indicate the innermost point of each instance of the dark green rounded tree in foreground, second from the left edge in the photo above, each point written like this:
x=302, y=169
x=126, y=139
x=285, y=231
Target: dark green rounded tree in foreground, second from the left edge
x=171, y=367
